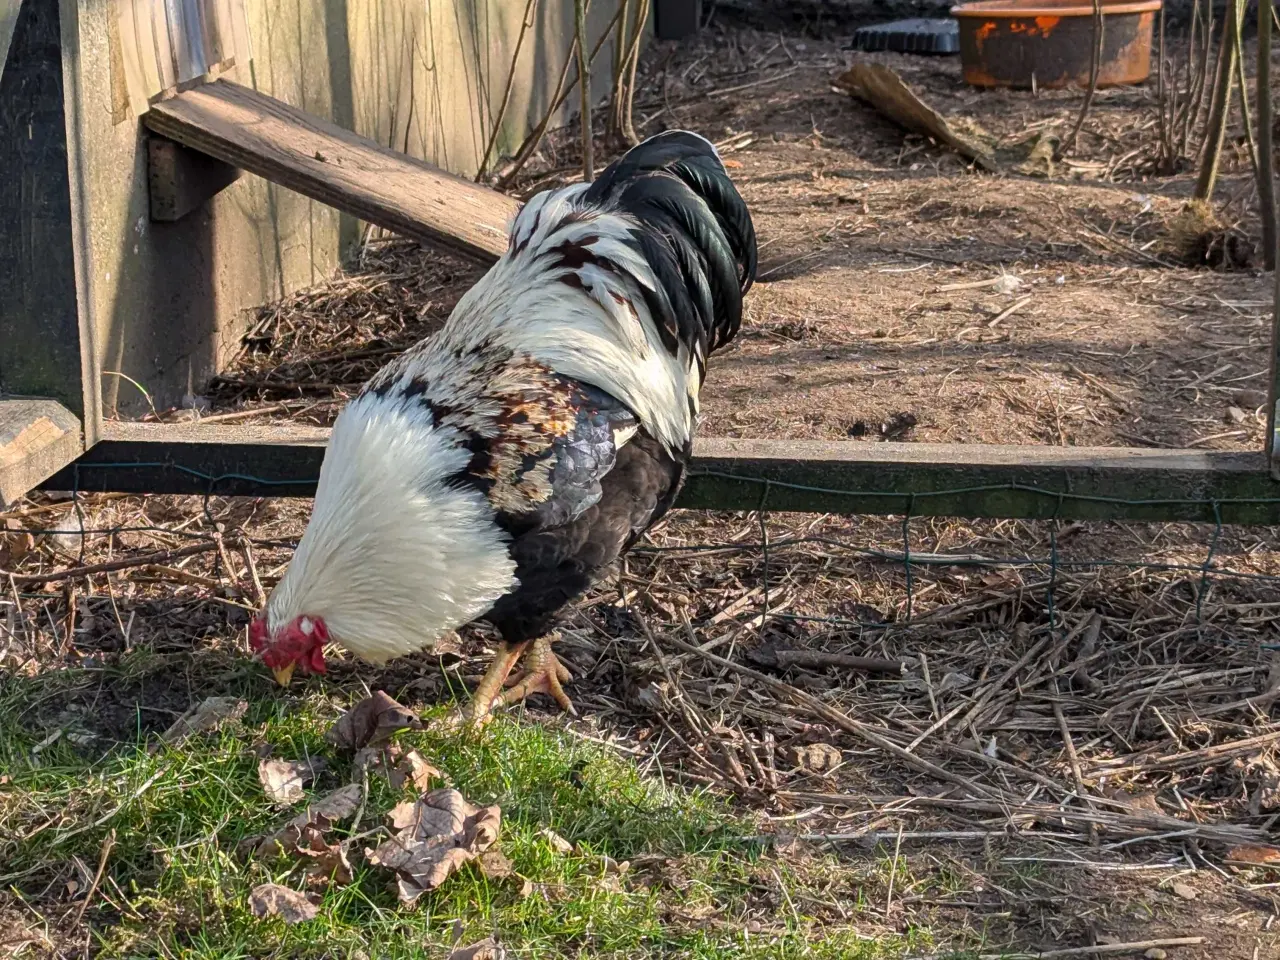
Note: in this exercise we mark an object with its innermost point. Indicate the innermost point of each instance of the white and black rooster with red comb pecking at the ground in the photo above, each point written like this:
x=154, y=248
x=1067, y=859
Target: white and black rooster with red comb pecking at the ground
x=497, y=469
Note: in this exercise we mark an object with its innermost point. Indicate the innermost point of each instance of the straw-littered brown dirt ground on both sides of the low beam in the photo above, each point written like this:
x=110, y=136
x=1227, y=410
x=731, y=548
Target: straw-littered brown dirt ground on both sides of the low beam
x=1077, y=755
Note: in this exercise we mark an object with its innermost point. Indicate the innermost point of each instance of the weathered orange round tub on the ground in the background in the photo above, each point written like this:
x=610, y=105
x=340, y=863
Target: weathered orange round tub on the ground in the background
x=1050, y=43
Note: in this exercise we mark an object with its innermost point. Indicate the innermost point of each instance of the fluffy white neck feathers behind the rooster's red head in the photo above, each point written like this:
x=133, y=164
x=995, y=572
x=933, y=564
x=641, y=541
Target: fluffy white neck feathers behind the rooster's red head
x=394, y=556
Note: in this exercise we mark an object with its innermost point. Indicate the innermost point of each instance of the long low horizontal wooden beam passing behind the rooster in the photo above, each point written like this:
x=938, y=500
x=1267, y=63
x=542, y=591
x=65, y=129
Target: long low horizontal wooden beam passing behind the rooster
x=1099, y=483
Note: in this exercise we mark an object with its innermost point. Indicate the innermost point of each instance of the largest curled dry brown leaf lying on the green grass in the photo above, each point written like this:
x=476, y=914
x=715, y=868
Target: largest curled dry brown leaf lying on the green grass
x=436, y=836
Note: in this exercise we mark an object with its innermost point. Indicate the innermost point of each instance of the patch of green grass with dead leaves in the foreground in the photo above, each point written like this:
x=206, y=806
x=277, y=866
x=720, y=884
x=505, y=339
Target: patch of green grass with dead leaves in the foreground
x=175, y=885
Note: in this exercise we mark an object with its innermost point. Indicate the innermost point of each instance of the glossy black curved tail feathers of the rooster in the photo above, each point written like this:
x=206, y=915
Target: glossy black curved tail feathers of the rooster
x=696, y=232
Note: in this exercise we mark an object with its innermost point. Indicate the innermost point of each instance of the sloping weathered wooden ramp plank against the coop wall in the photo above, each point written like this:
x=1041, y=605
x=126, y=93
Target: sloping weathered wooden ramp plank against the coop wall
x=319, y=159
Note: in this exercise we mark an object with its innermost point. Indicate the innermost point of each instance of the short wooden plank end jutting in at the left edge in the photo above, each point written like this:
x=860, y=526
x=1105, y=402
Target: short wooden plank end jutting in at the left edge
x=38, y=438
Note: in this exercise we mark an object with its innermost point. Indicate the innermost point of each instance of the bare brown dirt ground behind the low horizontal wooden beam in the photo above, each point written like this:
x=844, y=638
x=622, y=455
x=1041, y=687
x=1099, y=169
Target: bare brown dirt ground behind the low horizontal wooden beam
x=872, y=245
